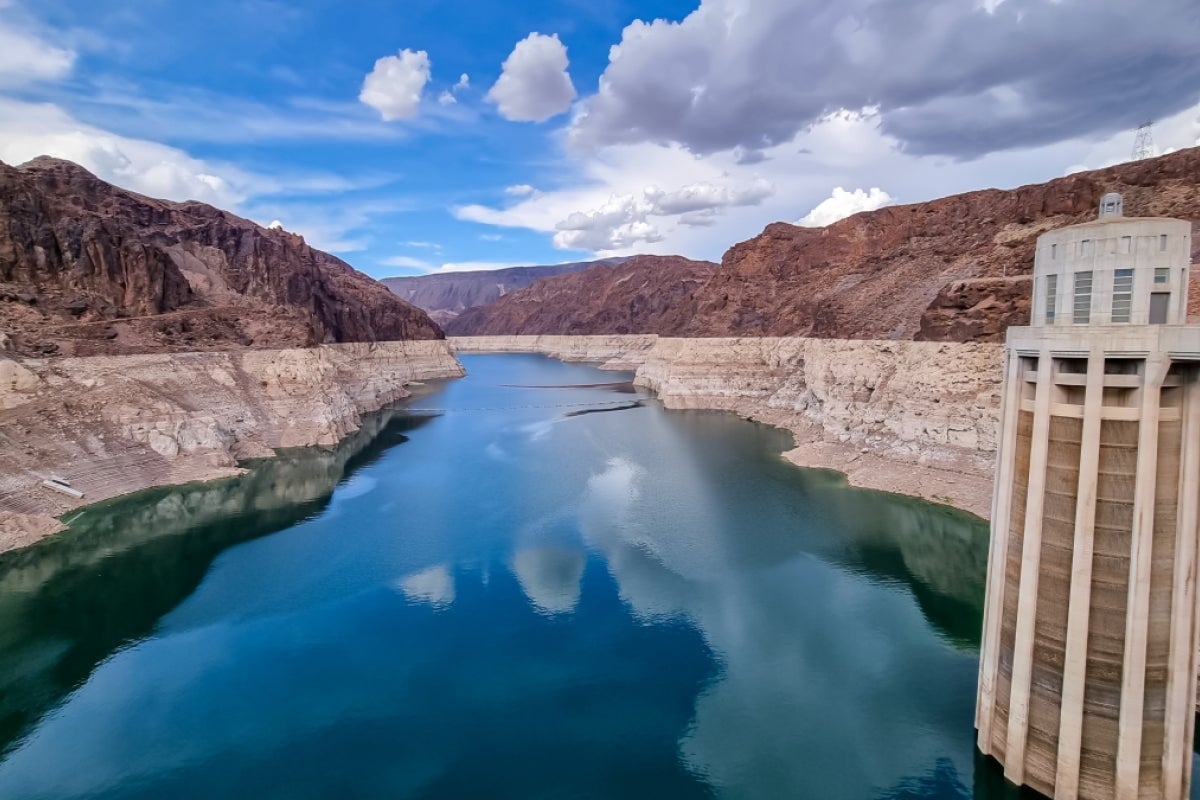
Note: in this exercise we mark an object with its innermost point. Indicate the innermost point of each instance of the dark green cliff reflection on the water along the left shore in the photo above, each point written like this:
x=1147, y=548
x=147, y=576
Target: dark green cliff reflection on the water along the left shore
x=70, y=601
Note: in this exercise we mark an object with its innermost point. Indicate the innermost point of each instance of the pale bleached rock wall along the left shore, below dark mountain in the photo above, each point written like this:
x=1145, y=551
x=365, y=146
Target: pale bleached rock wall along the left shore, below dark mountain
x=113, y=425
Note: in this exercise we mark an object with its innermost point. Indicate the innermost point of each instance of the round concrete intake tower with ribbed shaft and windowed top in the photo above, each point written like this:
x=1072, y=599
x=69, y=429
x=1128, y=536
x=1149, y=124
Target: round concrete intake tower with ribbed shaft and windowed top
x=1088, y=676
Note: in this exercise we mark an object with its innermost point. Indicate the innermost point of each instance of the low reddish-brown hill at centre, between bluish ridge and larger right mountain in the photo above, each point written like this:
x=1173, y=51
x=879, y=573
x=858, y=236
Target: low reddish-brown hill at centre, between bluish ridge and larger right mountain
x=631, y=298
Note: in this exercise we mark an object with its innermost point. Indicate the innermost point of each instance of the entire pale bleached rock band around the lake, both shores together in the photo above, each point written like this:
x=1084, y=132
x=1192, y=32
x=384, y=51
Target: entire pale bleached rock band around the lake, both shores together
x=913, y=418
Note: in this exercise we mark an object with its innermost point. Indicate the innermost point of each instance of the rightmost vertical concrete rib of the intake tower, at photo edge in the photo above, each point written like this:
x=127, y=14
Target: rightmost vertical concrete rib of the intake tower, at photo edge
x=1181, y=681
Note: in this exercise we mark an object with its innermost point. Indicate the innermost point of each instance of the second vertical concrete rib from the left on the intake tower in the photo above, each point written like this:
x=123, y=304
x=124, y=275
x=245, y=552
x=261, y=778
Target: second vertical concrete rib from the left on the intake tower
x=1031, y=562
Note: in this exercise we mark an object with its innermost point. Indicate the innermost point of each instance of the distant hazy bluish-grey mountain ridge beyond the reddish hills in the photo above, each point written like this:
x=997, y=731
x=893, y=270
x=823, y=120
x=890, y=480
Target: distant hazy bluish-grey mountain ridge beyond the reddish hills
x=447, y=296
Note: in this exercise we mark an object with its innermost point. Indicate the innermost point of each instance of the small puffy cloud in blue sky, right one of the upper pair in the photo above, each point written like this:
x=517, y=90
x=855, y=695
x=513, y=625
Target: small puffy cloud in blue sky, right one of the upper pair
x=535, y=85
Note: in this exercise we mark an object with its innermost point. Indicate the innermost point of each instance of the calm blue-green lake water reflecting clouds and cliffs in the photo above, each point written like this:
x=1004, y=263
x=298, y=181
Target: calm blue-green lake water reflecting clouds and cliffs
x=533, y=592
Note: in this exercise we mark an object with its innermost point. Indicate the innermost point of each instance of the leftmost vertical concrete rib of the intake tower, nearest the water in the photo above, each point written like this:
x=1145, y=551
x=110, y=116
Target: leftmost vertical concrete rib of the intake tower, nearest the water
x=1001, y=510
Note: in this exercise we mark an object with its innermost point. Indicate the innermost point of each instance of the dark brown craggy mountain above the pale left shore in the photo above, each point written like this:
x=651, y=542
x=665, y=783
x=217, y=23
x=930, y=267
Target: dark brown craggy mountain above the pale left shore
x=88, y=268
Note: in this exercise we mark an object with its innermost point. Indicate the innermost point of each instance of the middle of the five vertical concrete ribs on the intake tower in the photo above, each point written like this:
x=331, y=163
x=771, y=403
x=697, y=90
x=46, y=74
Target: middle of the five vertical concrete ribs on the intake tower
x=1075, y=672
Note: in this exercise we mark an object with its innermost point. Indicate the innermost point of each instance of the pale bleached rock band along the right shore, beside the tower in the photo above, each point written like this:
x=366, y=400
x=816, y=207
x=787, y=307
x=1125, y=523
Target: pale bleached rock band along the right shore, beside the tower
x=915, y=418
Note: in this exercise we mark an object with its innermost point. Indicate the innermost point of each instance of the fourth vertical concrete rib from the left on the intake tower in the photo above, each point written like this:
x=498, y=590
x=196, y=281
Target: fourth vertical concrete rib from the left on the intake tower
x=1133, y=676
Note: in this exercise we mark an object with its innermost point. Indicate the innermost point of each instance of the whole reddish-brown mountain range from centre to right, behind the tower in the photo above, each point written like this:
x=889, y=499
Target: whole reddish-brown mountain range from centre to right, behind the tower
x=953, y=269
